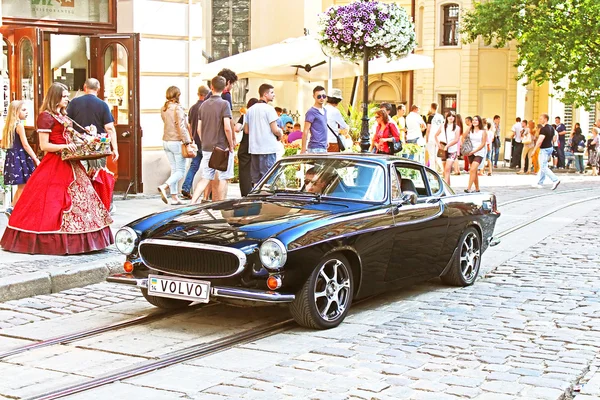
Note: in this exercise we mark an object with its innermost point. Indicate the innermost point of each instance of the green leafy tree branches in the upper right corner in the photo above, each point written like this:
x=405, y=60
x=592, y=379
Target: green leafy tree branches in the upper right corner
x=557, y=41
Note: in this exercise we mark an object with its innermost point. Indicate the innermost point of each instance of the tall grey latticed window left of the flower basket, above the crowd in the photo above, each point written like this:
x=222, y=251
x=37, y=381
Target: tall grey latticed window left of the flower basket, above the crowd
x=230, y=27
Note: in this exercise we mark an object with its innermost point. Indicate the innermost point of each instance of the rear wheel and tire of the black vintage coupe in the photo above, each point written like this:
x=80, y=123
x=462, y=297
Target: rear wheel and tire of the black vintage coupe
x=467, y=260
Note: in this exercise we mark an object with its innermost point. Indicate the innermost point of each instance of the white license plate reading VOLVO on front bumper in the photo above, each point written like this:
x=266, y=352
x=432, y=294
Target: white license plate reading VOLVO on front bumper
x=179, y=288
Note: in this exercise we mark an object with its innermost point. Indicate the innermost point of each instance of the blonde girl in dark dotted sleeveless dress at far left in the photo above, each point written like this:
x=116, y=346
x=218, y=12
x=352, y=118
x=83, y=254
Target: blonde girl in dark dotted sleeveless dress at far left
x=20, y=160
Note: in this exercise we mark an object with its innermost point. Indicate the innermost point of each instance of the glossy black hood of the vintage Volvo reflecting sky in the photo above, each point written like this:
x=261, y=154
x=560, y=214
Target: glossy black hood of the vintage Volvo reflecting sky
x=237, y=223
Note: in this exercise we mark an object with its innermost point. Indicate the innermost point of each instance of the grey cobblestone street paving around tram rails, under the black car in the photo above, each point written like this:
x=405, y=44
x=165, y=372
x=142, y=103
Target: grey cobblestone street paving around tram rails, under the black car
x=528, y=329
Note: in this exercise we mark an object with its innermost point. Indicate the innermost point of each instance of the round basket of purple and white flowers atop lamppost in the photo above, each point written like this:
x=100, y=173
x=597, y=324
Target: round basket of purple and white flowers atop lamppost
x=385, y=29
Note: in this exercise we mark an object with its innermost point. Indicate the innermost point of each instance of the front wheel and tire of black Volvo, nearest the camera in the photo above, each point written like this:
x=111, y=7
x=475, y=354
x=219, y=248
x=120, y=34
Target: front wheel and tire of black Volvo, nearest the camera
x=324, y=300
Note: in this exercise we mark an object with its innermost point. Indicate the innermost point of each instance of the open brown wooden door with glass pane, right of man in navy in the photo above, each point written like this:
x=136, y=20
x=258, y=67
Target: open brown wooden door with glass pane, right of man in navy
x=115, y=64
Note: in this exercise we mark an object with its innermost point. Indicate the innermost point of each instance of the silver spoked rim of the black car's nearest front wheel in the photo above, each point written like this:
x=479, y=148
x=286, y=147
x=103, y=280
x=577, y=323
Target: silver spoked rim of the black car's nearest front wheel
x=332, y=290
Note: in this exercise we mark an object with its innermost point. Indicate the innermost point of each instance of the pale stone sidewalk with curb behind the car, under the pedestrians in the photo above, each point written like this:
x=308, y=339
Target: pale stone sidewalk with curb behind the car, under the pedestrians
x=24, y=275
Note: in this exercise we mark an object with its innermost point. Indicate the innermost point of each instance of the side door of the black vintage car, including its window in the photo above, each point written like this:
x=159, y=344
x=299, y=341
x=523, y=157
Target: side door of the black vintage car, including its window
x=419, y=229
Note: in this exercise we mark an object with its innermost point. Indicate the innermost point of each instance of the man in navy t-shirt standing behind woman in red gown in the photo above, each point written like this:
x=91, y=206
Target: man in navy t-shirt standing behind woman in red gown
x=88, y=110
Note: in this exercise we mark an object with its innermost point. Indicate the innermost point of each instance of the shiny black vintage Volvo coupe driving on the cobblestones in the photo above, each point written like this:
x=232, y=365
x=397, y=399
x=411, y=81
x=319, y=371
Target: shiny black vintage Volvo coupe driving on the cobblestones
x=317, y=232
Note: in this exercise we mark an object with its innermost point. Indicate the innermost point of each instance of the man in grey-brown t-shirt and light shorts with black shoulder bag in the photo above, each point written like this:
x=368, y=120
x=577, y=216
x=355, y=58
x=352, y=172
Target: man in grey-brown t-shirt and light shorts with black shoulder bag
x=215, y=130
